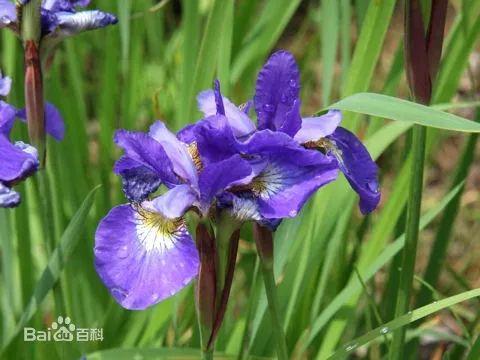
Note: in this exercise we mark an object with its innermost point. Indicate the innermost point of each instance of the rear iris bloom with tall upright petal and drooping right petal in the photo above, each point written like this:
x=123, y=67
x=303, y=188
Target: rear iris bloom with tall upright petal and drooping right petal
x=277, y=105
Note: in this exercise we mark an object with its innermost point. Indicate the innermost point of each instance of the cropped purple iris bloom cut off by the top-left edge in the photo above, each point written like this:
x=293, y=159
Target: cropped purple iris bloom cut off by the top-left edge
x=60, y=18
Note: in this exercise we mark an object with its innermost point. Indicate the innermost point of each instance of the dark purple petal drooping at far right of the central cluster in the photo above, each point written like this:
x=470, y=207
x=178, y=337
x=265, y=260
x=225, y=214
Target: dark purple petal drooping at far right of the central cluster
x=359, y=168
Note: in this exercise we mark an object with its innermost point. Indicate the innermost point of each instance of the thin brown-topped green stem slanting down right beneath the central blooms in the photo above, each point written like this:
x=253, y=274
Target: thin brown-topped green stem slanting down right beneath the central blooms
x=264, y=240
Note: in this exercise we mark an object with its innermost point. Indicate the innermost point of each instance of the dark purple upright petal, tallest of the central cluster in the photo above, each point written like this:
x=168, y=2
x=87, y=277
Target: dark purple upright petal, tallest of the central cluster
x=277, y=94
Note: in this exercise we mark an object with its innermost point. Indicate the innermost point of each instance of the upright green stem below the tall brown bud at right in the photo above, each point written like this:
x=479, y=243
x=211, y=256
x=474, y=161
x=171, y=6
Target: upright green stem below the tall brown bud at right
x=411, y=237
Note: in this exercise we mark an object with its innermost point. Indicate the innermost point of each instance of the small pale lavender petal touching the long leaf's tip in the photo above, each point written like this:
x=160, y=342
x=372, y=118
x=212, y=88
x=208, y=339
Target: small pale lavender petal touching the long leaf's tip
x=315, y=128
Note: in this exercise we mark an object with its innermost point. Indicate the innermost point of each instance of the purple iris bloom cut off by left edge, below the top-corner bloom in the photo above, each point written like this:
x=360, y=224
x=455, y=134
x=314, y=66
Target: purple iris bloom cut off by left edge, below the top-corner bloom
x=19, y=160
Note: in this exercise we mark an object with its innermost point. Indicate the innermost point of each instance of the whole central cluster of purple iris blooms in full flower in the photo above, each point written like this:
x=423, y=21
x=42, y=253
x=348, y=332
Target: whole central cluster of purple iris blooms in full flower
x=262, y=172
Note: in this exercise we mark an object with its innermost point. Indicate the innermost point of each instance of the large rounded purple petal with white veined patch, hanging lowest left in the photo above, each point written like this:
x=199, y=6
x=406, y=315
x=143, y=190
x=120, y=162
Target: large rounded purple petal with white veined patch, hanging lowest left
x=143, y=257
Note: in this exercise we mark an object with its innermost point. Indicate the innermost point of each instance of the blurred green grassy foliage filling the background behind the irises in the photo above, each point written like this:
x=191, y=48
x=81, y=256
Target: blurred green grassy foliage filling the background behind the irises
x=337, y=271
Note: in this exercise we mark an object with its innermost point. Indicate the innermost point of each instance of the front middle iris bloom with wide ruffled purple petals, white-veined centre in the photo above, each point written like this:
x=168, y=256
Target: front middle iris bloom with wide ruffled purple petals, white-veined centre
x=285, y=174
